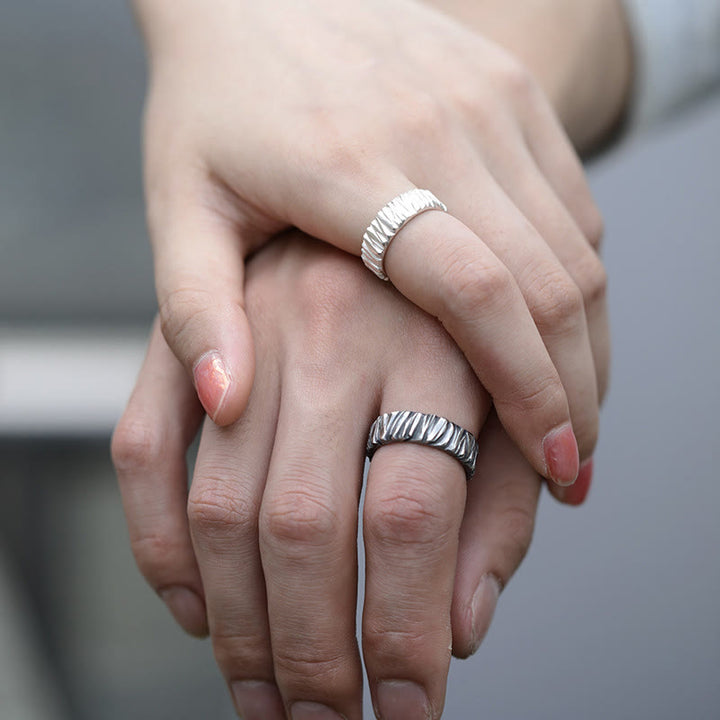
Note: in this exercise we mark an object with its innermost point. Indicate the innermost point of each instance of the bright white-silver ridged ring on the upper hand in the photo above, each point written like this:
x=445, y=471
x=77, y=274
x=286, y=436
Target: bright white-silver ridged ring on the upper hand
x=387, y=223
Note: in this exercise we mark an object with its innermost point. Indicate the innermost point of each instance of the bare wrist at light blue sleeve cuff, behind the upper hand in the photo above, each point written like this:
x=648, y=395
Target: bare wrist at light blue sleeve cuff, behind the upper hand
x=579, y=52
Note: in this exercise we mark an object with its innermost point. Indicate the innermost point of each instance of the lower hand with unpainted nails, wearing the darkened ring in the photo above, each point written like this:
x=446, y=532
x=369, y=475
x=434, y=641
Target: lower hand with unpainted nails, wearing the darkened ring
x=274, y=502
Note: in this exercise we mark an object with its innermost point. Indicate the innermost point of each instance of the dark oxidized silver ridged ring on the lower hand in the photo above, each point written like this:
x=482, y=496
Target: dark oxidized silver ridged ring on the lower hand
x=431, y=430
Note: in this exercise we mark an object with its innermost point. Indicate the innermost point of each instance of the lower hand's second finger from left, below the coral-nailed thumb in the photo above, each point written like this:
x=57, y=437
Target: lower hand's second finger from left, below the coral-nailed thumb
x=223, y=509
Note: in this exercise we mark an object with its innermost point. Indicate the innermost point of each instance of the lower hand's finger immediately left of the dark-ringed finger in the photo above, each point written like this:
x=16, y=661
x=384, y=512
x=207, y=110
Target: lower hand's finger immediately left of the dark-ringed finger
x=308, y=541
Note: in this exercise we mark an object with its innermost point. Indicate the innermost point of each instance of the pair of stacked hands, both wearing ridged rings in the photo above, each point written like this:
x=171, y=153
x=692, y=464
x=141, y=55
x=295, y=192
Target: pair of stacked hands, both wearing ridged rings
x=262, y=117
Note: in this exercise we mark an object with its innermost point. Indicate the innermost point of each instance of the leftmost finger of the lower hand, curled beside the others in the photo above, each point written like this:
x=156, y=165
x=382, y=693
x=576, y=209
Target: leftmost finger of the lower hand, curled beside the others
x=148, y=450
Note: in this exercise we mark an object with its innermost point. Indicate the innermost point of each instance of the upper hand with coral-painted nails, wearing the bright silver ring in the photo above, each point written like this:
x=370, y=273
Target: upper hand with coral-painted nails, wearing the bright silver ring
x=263, y=116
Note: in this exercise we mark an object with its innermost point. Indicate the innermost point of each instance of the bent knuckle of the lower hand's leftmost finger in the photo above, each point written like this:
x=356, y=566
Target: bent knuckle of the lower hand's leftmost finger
x=137, y=444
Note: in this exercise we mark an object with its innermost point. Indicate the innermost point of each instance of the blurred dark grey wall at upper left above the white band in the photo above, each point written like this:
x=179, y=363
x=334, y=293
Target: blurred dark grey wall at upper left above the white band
x=72, y=237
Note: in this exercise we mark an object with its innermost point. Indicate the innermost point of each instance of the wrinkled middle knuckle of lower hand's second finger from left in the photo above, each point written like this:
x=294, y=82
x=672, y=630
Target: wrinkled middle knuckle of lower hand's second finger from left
x=217, y=508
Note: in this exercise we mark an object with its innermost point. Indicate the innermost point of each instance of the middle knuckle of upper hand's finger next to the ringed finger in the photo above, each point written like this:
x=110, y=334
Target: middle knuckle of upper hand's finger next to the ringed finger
x=556, y=302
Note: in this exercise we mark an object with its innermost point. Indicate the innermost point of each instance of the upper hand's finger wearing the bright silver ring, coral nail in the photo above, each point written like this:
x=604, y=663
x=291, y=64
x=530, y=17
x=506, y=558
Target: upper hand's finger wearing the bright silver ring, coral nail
x=478, y=300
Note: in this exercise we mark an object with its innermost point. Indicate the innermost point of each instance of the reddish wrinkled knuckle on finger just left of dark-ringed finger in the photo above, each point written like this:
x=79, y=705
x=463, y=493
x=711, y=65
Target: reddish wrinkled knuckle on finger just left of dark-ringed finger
x=299, y=517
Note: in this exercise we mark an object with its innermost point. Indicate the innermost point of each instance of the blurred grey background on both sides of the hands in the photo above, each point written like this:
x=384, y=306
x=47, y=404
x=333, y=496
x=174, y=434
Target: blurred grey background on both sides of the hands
x=615, y=612
